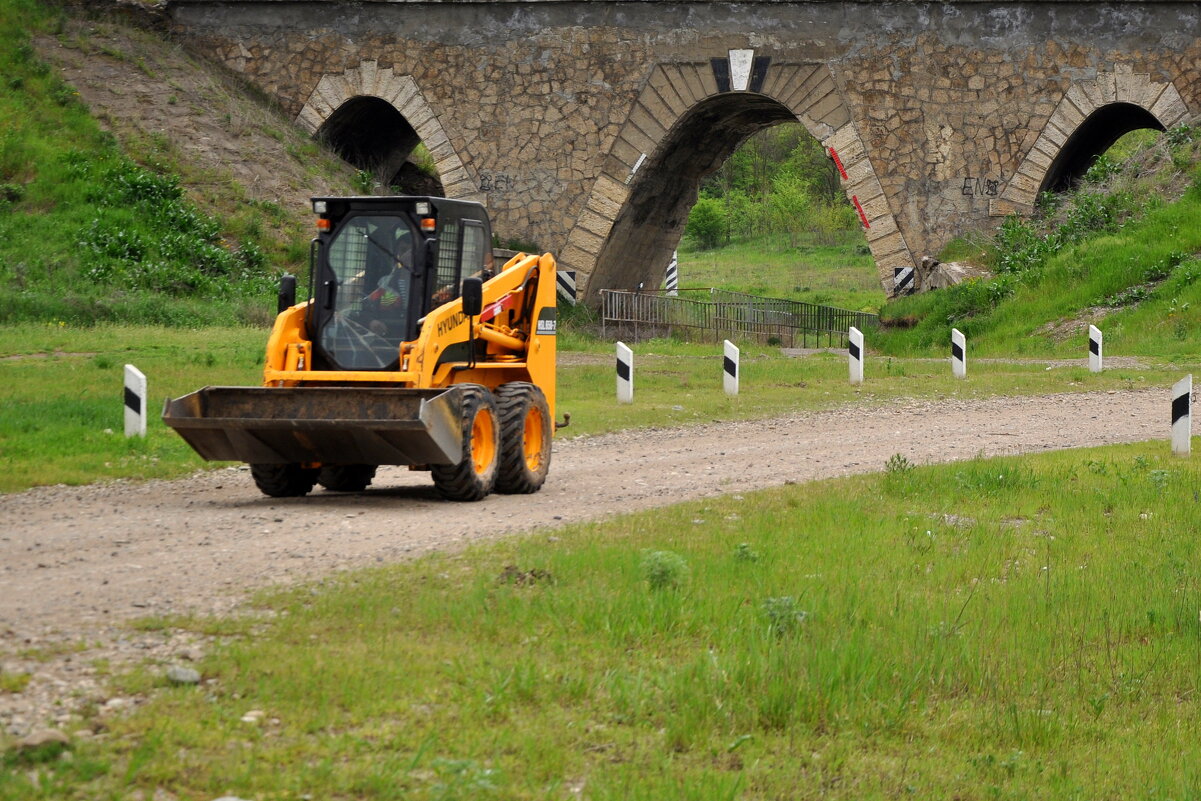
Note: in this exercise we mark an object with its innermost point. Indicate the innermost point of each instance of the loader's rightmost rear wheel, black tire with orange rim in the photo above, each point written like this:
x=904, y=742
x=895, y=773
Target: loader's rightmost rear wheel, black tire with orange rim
x=517, y=402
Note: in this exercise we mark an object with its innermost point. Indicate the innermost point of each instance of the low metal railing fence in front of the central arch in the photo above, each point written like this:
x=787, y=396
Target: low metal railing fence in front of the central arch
x=719, y=314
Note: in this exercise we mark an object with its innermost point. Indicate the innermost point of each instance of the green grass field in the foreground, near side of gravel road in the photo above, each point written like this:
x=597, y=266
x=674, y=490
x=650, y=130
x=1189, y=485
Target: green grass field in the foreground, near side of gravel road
x=1008, y=629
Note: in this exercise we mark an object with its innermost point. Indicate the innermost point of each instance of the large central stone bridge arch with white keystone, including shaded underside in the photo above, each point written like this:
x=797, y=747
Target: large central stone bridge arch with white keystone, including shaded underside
x=686, y=122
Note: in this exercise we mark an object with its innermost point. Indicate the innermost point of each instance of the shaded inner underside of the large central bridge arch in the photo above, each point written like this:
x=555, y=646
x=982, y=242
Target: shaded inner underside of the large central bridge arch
x=650, y=225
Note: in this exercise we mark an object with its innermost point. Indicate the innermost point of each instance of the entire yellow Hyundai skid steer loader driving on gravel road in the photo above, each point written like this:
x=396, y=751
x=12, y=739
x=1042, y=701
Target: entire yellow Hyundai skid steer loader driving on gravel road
x=413, y=350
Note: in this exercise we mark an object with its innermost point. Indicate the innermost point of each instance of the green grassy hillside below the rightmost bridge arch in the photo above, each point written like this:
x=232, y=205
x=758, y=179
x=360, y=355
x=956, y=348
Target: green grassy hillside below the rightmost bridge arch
x=1122, y=253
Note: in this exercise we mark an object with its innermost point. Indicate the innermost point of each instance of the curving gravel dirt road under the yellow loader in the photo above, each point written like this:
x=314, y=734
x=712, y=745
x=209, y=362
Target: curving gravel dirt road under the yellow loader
x=76, y=563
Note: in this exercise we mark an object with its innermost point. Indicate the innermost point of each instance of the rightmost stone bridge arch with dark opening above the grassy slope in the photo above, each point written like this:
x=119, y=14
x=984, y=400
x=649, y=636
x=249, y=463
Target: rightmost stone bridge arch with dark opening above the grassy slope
x=1091, y=117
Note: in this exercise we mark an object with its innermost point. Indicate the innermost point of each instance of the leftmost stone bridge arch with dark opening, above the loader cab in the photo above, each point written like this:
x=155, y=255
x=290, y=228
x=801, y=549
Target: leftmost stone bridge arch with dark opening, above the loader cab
x=374, y=118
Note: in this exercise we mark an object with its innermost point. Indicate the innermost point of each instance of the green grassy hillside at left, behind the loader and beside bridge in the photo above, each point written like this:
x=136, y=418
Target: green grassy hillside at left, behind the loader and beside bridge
x=97, y=226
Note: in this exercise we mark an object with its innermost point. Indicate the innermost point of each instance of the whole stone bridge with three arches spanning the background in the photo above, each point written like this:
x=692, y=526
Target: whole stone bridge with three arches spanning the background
x=587, y=127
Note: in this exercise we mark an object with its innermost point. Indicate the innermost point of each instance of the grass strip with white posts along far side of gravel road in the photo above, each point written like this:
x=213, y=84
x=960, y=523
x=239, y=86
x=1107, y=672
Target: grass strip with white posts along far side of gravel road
x=61, y=388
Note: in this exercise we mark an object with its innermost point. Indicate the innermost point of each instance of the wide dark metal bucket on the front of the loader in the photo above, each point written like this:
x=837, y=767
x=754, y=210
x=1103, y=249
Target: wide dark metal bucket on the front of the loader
x=331, y=426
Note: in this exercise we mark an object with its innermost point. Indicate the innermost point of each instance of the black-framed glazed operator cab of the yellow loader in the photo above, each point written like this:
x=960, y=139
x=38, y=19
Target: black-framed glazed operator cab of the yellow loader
x=380, y=265
